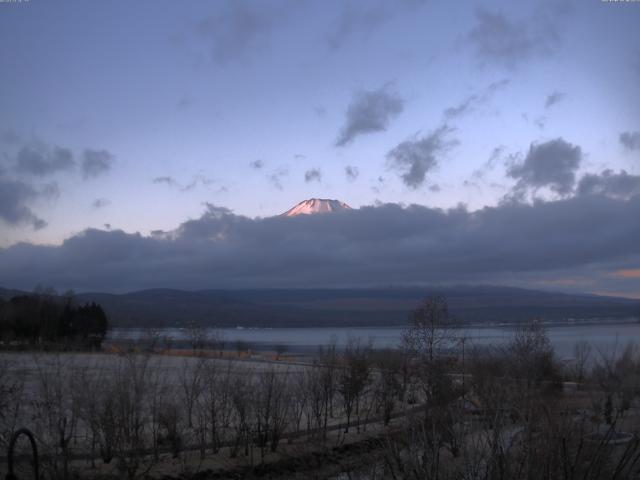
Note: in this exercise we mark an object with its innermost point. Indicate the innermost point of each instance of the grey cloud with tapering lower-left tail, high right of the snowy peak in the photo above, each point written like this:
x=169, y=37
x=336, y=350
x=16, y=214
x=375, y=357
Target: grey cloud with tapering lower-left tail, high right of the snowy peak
x=369, y=112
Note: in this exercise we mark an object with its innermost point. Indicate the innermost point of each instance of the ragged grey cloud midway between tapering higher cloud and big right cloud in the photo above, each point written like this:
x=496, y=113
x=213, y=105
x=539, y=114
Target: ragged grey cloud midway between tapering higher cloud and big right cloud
x=418, y=156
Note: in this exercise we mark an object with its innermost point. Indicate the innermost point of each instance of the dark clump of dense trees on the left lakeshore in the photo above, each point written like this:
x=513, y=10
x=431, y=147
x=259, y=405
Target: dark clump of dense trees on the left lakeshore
x=44, y=318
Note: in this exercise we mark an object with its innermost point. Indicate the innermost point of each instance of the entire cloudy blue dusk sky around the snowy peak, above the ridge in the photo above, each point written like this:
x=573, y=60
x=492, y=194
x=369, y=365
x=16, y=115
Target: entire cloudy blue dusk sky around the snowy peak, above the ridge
x=151, y=143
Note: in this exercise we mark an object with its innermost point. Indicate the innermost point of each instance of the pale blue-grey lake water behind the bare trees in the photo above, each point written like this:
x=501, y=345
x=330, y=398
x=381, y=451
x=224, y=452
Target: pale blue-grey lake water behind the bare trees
x=607, y=338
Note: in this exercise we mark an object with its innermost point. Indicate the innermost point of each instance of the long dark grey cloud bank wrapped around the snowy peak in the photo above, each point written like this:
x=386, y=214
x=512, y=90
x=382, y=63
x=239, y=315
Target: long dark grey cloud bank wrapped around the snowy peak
x=589, y=235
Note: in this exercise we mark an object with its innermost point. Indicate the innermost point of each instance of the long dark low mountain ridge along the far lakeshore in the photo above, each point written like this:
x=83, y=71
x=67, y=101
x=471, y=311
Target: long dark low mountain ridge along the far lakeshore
x=346, y=307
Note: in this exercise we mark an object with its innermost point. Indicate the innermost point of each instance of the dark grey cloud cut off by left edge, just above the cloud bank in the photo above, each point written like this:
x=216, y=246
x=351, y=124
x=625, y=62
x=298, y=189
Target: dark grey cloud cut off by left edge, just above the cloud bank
x=15, y=197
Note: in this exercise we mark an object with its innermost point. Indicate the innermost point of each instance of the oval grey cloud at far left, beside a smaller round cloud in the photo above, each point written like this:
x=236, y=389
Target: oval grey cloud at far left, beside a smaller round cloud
x=40, y=160
